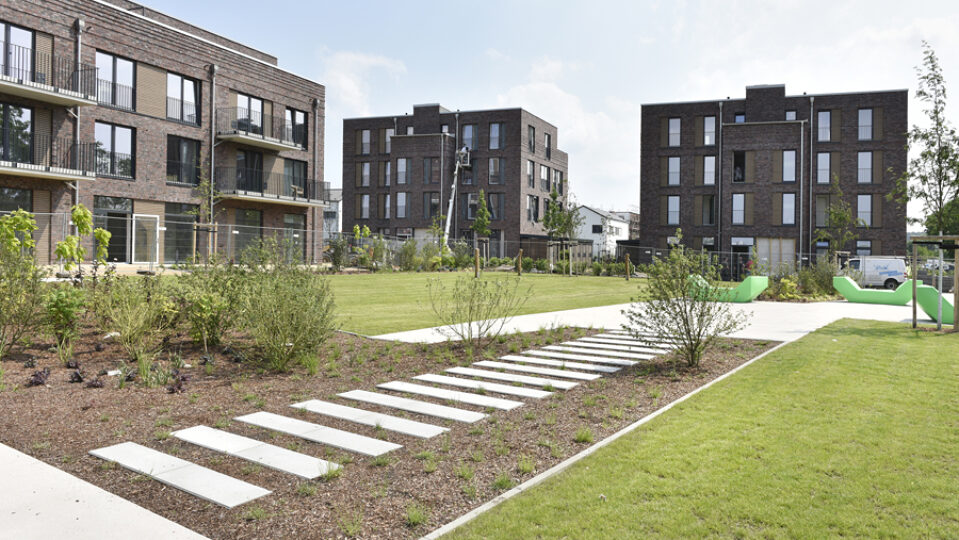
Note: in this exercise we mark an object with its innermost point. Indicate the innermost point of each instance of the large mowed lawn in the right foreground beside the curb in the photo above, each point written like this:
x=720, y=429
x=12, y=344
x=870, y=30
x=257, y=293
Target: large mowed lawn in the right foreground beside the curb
x=852, y=431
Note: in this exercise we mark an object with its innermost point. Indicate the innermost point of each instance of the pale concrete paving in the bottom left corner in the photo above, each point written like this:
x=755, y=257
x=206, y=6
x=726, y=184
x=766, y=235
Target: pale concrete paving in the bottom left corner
x=39, y=501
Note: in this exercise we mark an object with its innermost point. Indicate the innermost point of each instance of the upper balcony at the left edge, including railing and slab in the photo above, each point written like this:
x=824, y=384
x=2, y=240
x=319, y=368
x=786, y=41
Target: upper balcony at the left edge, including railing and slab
x=48, y=78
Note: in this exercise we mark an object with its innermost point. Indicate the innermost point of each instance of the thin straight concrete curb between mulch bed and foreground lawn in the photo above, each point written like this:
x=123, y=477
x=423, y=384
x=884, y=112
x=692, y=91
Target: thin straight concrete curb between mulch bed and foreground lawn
x=560, y=467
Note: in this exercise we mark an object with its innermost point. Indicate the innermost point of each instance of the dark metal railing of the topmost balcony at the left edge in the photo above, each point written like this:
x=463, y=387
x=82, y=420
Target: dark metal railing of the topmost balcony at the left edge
x=61, y=74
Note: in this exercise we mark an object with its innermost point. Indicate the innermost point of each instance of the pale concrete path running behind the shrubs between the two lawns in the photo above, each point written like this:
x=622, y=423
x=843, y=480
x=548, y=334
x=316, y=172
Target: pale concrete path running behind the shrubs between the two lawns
x=778, y=321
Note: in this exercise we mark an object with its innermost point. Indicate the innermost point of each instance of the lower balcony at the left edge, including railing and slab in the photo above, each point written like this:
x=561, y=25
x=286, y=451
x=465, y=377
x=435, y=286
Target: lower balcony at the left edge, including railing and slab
x=41, y=156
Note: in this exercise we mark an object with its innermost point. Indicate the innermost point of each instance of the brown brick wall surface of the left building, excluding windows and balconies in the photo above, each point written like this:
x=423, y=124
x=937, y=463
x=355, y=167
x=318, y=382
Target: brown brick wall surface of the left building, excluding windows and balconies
x=159, y=44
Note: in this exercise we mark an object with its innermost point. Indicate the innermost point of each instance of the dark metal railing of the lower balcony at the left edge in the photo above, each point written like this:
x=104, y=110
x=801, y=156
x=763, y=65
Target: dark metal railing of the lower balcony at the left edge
x=22, y=147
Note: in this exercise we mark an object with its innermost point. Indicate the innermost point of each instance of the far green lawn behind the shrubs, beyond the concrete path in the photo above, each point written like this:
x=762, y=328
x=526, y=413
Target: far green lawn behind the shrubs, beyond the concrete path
x=381, y=303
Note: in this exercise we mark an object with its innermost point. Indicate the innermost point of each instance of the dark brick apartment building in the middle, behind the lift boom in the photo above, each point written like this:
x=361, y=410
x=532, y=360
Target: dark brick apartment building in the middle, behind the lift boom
x=398, y=171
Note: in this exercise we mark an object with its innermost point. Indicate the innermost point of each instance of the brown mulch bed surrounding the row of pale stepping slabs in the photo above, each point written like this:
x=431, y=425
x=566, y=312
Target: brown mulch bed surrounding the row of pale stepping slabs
x=446, y=476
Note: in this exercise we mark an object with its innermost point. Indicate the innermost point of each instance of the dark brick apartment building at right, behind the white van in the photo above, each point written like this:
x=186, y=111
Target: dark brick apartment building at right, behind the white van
x=738, y=174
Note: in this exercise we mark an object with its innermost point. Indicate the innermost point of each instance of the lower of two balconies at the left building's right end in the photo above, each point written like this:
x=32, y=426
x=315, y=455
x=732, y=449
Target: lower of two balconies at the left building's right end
x=260, y=186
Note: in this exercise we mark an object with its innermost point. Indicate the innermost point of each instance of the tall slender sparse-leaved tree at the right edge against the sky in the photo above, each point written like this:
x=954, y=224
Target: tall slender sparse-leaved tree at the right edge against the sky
x=933, y=175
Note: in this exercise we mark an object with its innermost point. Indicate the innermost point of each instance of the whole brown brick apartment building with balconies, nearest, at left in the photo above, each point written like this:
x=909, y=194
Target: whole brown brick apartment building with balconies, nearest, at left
x=126, y=110
